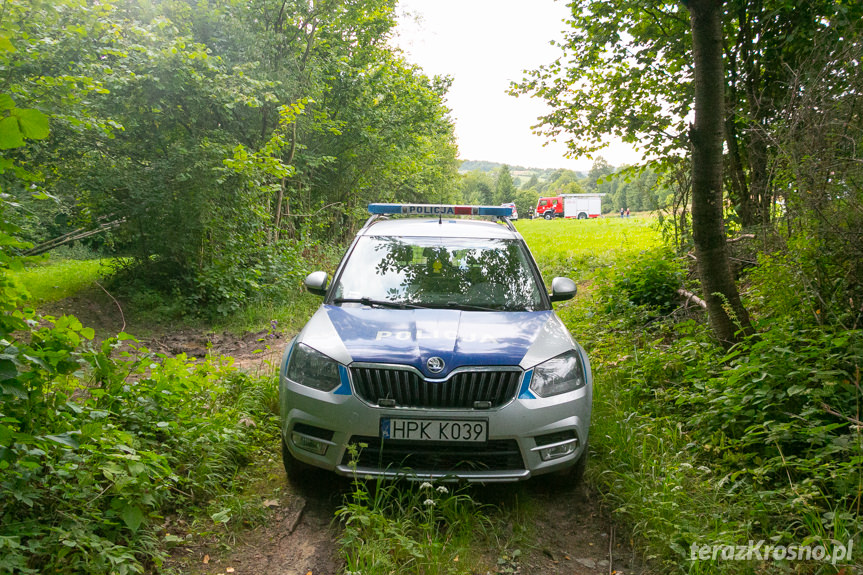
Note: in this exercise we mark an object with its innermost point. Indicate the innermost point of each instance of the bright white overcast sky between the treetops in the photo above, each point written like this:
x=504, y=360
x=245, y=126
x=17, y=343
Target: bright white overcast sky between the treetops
x=483, y=45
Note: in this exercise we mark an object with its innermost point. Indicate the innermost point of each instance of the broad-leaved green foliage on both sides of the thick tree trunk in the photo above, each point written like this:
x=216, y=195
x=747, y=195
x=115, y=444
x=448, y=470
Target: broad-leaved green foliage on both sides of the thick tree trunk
x=625, y=70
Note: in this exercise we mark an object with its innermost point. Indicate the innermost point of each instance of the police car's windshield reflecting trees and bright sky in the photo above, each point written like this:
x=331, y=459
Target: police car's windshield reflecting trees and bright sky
x=459, y=273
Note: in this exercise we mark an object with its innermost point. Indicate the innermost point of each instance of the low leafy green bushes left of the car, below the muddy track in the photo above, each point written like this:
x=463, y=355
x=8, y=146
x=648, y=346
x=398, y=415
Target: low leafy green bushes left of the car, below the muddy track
x=99, y=442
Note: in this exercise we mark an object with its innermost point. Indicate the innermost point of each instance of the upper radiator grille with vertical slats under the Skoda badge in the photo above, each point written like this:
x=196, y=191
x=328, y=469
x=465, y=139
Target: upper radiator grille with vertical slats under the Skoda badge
x=407, y=388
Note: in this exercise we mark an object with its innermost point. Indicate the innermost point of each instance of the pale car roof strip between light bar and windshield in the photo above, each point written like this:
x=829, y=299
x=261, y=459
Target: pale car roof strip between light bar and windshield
x=447, y=228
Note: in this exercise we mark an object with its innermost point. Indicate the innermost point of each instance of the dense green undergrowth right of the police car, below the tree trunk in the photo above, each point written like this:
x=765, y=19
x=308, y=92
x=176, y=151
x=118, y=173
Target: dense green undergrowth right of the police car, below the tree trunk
x=760, y=442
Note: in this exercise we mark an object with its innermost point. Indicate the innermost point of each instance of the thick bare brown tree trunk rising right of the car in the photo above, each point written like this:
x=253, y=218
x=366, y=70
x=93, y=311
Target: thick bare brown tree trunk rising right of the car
x=727, y=316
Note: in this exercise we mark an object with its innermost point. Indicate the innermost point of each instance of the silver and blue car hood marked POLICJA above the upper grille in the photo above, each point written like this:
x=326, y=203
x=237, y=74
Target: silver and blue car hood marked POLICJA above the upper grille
x=363, y=334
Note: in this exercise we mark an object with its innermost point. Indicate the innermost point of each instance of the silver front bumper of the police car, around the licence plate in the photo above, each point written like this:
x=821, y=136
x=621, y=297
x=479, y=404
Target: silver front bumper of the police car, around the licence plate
x=338, y=431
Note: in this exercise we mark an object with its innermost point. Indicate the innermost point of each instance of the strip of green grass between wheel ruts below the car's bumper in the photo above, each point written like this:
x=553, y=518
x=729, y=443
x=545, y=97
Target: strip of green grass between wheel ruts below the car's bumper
x=433, y=528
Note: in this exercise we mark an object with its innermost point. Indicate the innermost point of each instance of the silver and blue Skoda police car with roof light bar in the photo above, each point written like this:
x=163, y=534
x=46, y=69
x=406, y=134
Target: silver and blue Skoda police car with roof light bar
x=437, y=354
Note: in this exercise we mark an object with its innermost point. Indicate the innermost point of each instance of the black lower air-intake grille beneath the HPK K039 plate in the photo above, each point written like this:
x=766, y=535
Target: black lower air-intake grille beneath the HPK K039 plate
x=495, y=455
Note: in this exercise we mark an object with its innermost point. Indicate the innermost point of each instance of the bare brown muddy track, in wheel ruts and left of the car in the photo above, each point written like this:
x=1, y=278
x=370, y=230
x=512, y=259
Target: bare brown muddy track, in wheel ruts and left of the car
x=570, y=533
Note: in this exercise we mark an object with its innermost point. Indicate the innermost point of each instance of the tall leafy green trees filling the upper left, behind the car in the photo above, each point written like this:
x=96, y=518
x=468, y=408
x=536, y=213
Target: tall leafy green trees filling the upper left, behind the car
x=217, y=136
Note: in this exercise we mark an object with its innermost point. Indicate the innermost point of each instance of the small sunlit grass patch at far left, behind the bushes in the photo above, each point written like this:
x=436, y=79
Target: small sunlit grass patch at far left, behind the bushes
x=55, y=280
